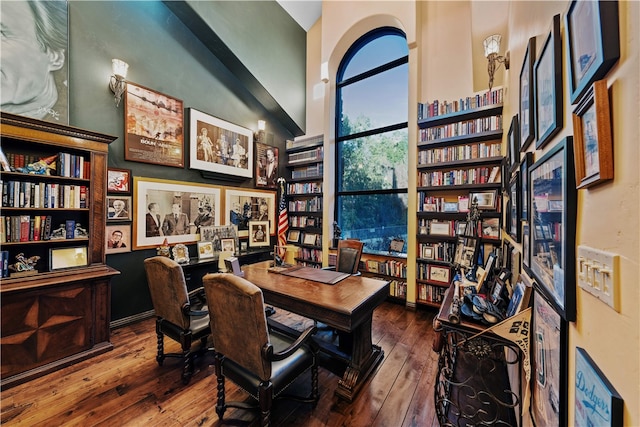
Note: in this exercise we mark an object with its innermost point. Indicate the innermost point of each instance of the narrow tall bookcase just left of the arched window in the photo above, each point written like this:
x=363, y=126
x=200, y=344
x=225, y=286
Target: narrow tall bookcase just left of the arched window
x=304, y=196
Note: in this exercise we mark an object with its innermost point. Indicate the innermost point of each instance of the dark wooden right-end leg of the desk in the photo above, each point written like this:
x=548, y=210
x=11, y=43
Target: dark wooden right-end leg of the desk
x=365, y=356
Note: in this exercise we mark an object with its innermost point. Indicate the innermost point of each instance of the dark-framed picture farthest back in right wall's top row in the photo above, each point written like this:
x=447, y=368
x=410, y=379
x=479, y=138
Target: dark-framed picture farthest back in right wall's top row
x=527, y=133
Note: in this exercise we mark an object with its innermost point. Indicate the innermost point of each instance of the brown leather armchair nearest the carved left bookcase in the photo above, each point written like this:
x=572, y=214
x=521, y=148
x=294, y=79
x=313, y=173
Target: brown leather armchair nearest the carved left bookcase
x=175, y=316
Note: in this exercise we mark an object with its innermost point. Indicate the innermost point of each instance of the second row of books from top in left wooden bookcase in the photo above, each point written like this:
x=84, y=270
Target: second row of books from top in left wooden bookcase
x=24, y=194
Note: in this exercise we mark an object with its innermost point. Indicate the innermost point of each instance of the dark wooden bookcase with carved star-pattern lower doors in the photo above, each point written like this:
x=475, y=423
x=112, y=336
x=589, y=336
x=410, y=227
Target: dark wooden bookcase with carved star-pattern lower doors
x=54, y=316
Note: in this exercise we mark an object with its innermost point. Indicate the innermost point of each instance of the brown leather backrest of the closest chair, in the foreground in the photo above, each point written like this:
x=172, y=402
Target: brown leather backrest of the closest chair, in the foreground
x=236, y=308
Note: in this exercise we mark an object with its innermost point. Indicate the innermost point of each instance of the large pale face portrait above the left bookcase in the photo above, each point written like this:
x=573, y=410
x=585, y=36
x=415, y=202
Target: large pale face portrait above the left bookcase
x=42, y=61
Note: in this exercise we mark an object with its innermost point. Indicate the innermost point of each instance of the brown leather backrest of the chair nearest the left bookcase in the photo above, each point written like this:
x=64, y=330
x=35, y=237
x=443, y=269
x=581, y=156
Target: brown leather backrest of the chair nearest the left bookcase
x=168, y=289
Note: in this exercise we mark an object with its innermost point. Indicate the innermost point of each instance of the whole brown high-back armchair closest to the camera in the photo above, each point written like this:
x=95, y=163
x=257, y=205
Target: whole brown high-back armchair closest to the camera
x=261, y=362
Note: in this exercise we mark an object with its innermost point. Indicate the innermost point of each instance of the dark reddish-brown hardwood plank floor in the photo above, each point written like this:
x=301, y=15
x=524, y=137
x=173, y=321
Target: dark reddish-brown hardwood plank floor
x=127, y=387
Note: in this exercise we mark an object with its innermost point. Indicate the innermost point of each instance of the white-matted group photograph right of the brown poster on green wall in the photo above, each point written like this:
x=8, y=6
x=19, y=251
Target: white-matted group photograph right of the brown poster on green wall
x=218, y=146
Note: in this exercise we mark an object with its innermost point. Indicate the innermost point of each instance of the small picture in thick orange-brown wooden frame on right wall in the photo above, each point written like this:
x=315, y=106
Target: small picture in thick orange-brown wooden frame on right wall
x=593, y=141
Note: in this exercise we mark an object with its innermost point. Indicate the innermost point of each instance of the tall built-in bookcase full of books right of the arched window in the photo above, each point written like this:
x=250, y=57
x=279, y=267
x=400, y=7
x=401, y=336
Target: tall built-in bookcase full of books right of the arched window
x=459, y=153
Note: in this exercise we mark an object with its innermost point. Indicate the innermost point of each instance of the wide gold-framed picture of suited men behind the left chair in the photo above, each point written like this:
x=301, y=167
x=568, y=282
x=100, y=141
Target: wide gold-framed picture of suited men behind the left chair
x=168, y=209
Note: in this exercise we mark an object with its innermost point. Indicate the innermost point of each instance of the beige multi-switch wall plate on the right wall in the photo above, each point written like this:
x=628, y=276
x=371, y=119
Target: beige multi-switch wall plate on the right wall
x=598, y=274
